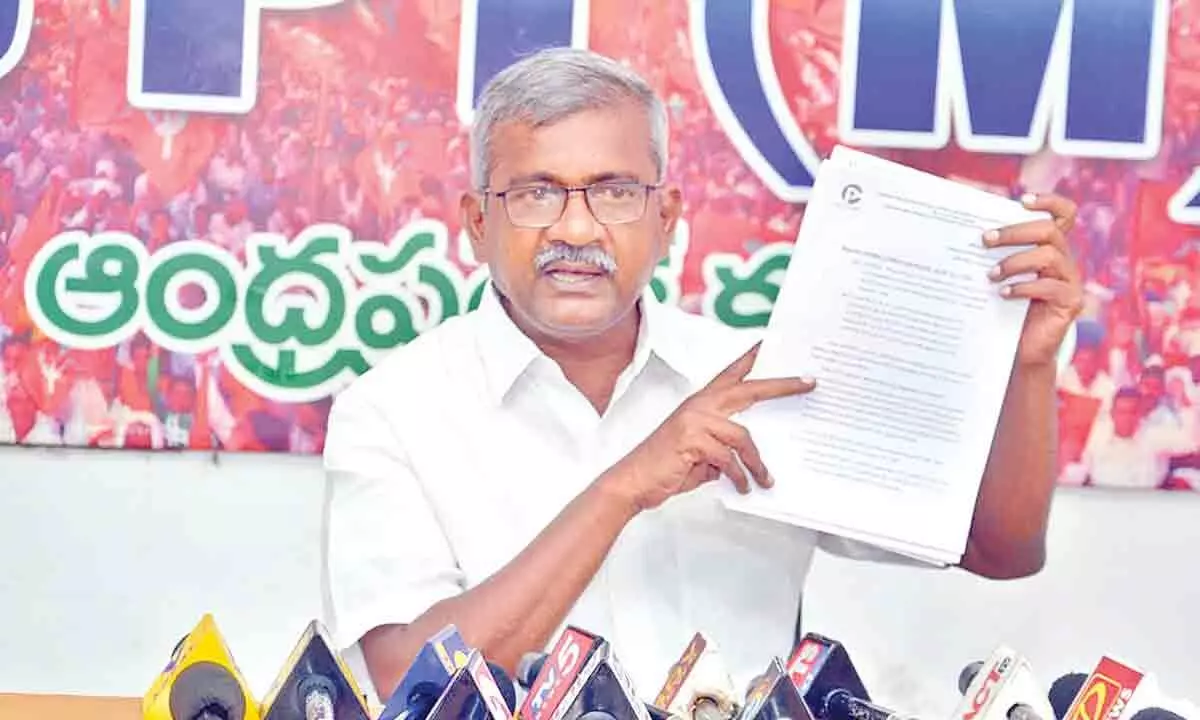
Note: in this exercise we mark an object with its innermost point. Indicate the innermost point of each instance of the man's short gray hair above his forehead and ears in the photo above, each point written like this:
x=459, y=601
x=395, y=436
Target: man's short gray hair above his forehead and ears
x=554, y=85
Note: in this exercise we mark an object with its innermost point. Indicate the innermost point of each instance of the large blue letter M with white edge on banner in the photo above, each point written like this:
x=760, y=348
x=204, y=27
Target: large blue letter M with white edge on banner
x=1088, y=73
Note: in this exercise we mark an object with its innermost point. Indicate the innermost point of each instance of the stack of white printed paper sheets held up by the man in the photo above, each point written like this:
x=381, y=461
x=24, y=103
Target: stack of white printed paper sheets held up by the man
x=887, y=304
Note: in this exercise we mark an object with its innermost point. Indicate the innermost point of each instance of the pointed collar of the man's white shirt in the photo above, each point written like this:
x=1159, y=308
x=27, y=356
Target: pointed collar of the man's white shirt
x=507, y=353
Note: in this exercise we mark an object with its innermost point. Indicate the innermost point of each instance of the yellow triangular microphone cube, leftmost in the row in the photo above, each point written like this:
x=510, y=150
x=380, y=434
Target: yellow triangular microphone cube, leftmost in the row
x=201, y=682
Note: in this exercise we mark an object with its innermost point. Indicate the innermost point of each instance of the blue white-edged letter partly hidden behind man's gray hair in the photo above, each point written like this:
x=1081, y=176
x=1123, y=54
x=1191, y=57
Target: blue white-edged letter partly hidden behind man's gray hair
x=496, y=33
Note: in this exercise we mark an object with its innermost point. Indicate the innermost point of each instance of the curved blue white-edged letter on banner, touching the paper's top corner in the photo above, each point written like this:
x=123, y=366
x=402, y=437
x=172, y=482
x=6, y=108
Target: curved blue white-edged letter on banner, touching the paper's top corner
x=731, y=43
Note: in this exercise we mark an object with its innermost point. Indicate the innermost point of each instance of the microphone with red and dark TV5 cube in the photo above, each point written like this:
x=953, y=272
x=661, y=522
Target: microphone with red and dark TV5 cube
x=581, y=675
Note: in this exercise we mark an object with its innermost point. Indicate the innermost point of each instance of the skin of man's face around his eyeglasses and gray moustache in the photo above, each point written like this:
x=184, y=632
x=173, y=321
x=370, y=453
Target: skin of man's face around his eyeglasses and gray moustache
x=593, y=146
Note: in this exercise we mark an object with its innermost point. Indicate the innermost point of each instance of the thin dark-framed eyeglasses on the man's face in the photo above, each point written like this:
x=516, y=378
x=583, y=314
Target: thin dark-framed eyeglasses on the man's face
x=542, y=206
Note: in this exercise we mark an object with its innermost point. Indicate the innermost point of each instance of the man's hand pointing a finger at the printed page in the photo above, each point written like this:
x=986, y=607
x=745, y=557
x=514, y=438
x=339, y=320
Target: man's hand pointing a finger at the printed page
x=699, y=442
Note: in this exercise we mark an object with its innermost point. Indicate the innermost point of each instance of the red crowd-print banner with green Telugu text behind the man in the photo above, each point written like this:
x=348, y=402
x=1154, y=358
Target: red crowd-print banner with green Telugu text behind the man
x=217, y=215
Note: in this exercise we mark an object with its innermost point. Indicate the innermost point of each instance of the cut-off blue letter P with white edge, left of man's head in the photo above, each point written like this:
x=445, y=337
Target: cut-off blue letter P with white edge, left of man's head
x=199, y=56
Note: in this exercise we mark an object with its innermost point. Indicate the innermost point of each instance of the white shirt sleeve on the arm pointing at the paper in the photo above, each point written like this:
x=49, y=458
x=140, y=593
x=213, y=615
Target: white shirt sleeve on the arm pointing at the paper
x=387, y=556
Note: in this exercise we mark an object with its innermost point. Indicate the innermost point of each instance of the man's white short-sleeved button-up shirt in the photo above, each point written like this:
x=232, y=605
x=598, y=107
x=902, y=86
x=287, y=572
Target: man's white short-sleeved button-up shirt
x=451, y=457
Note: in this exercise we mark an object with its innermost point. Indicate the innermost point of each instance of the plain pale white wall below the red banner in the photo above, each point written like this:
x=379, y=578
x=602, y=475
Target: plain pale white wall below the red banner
x=111, y=557
